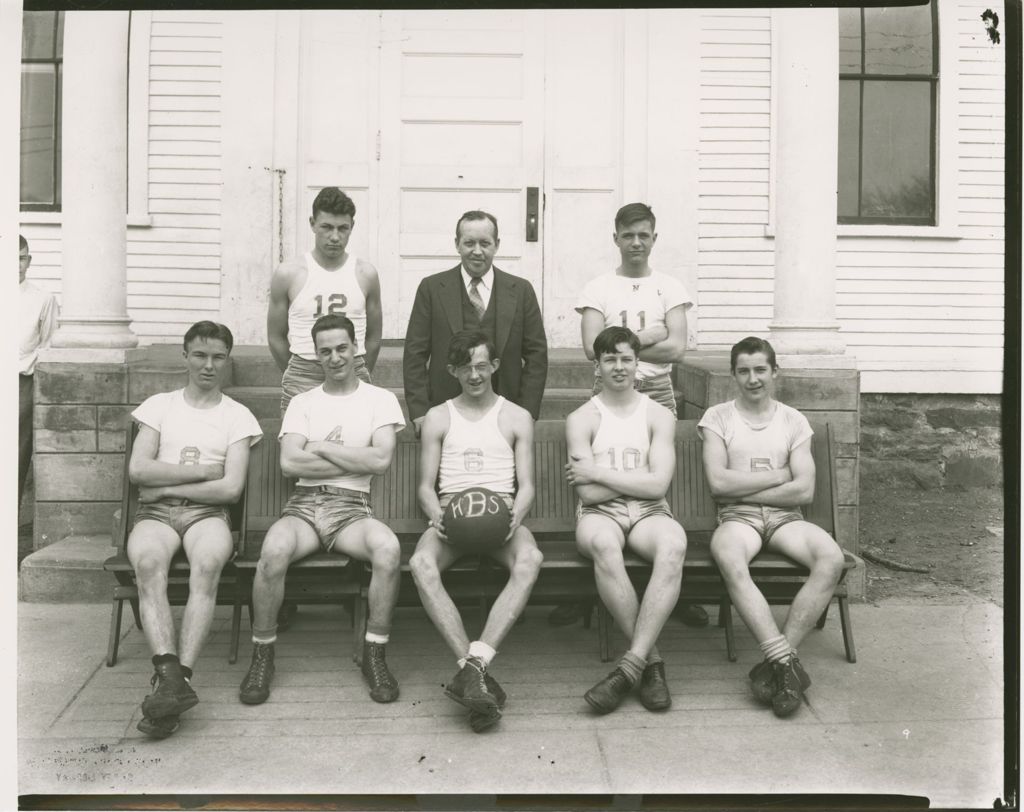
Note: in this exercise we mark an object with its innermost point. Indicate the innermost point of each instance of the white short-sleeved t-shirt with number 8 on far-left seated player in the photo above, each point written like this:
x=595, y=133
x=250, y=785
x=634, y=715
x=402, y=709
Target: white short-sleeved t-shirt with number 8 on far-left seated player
x=196, y=437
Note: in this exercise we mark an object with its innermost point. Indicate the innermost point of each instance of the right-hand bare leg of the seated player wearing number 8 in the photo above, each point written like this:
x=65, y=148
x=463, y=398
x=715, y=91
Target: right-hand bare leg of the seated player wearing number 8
x=208, y=546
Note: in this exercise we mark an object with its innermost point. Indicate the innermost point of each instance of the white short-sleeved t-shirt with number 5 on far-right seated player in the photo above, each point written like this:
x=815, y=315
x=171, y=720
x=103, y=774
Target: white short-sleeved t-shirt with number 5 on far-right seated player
x=757, y=448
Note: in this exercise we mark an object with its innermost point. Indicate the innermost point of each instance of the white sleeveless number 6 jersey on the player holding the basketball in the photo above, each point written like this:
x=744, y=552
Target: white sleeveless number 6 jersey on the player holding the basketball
x=477, y=455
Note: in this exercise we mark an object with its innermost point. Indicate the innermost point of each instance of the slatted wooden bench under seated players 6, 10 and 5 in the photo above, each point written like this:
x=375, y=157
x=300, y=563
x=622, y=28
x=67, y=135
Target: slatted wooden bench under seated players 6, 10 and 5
x=567, y=576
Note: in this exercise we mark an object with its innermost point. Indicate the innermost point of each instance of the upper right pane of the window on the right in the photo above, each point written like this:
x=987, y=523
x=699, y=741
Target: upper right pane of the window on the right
x=899, y=40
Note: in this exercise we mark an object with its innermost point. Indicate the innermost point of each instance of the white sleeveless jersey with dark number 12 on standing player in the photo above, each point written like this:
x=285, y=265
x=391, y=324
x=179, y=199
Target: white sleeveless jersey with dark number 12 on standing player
x=336, y=292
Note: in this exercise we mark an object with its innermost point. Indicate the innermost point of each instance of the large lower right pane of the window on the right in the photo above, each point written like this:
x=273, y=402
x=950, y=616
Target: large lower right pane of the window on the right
x=898, y=153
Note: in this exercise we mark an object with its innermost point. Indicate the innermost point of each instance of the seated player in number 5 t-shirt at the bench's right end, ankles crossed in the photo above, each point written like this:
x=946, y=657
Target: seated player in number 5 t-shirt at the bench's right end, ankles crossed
x=757, y=456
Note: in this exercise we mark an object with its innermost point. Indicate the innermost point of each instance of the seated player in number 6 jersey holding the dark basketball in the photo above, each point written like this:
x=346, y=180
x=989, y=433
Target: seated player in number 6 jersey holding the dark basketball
x=481, y=440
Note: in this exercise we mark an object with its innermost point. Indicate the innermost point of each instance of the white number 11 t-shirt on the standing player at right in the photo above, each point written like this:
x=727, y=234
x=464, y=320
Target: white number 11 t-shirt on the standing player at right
x=636, y=303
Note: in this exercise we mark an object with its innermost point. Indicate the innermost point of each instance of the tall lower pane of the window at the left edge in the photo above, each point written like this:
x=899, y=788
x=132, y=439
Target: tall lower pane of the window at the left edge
x=37, y=133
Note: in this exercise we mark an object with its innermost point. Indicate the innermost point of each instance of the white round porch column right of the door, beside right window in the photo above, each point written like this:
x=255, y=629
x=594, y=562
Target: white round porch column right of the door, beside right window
x=806, y=166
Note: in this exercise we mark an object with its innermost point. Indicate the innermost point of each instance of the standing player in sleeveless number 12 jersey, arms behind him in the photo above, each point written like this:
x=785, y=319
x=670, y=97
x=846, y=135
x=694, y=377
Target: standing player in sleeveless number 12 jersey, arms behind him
x=327, y=281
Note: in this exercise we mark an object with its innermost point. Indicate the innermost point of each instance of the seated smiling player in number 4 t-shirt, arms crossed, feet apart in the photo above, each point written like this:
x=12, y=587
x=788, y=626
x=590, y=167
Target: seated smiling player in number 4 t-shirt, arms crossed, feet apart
x=334, y=439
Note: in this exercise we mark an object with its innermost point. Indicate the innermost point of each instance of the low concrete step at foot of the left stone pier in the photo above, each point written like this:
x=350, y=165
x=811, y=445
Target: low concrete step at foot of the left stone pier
x=68, y=572
